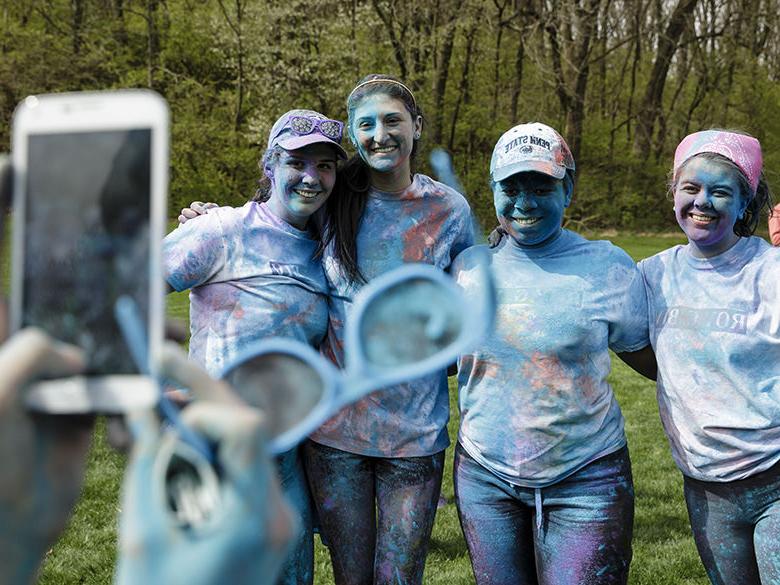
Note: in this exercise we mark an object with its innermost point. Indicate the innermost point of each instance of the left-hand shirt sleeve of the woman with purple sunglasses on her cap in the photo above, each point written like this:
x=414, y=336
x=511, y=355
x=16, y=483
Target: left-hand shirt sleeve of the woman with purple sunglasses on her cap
x=195, y=252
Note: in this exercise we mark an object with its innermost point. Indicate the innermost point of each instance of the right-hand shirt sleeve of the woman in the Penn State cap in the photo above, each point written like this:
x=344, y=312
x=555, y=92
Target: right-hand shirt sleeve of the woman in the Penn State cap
x=628, y=320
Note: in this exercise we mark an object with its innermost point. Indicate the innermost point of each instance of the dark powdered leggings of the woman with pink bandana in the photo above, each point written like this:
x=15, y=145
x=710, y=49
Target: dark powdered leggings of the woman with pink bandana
x=736, y=526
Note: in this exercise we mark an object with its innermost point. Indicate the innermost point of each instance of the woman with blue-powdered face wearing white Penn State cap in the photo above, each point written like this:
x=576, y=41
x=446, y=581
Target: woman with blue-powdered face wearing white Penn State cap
x=543, y=478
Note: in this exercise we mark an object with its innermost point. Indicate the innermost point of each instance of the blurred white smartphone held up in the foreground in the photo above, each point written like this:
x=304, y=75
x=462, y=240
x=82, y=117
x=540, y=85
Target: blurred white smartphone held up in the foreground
x=89, y=200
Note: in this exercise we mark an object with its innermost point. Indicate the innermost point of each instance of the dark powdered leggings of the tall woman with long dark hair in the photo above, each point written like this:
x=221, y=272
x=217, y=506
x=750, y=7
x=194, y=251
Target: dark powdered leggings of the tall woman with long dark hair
x=376, y=514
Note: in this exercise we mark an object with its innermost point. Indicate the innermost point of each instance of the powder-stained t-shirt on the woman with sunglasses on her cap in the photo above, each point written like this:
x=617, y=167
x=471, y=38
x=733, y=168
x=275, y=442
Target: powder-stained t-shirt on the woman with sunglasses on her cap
x=252, y=276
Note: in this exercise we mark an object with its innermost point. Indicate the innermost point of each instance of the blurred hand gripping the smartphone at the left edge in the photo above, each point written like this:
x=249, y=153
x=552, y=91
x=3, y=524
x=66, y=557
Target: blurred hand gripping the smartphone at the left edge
x=43, y=457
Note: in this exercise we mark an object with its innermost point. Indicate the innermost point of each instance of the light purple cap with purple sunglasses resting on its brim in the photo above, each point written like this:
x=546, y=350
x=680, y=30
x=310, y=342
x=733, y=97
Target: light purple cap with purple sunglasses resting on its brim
x=286, y=131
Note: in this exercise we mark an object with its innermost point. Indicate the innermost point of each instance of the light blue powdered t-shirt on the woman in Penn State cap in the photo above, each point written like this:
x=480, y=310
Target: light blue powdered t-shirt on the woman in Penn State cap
x=535, y=404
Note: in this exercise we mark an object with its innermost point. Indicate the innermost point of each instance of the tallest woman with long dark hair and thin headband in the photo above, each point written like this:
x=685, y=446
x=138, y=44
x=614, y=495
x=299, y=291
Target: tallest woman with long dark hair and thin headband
x=375, y=468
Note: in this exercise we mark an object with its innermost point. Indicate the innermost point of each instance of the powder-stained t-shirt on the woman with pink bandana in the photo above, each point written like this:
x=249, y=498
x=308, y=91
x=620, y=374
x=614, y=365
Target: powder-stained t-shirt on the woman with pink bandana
x=715, y=328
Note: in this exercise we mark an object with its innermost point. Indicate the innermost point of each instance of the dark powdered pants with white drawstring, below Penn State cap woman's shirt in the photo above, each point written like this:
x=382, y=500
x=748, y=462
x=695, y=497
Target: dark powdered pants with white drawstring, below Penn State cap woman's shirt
x=574, y=532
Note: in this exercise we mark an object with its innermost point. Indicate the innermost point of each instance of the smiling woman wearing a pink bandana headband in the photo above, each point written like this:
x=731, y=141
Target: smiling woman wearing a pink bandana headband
x=714, y=308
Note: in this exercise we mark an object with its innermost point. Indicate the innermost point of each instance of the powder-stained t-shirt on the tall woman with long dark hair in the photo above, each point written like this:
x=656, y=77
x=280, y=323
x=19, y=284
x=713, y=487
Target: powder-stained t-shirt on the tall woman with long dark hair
x=428, y=222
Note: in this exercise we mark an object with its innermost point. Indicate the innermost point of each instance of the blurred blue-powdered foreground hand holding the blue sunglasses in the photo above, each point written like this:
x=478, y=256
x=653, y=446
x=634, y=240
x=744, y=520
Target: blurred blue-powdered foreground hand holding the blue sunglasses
x=246, y=528
